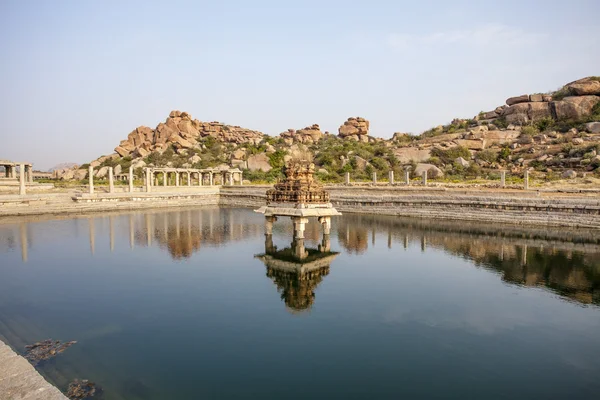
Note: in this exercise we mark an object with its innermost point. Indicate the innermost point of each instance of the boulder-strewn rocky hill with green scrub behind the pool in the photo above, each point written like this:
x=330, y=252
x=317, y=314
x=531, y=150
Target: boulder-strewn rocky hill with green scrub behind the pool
x=555, y=134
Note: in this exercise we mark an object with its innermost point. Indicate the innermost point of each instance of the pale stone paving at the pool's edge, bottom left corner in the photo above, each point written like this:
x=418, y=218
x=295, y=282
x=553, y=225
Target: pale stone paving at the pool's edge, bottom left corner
x=20, y=381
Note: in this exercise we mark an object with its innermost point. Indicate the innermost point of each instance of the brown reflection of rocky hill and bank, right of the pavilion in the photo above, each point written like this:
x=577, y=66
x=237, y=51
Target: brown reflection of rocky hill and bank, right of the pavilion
x=528, y=257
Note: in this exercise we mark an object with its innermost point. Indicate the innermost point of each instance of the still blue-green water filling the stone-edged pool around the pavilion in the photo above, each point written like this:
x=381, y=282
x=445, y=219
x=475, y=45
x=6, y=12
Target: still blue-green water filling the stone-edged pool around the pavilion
x=186, y=305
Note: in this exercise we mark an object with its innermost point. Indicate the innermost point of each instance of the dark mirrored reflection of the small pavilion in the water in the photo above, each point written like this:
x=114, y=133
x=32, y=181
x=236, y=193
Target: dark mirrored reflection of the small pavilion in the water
x=297, y=271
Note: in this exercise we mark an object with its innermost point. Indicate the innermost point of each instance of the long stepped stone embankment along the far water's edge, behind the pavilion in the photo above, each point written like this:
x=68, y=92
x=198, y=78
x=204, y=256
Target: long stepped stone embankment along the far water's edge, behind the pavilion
x=500, y=206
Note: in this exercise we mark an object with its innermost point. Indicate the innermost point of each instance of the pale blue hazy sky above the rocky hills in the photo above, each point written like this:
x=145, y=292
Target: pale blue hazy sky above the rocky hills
x=76, y=77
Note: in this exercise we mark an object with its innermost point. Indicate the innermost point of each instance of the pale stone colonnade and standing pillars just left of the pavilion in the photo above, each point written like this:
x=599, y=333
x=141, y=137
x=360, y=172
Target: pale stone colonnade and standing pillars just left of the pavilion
x=173, y=175
